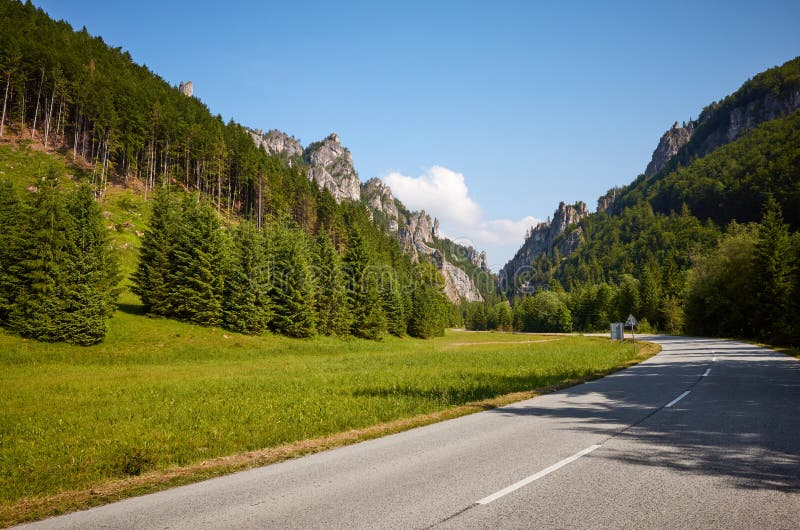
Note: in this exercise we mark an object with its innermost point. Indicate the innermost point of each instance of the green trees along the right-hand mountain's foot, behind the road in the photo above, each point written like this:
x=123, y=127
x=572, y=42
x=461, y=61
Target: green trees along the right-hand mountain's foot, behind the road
x=744, y=284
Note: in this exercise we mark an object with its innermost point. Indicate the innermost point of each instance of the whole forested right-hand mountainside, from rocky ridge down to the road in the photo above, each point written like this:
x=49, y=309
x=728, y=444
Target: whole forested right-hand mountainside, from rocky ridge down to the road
x=648, y=249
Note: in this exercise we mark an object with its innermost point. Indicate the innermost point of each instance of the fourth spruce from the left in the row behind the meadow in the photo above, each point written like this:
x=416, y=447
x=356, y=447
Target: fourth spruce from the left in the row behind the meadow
x=293, y=287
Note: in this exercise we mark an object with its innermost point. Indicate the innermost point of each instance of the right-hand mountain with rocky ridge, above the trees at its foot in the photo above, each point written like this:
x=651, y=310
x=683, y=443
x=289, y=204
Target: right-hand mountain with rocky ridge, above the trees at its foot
x=718, y=168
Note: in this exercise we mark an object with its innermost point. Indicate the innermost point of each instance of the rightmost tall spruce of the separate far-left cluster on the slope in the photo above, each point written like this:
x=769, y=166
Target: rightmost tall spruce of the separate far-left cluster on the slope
x=90, y=273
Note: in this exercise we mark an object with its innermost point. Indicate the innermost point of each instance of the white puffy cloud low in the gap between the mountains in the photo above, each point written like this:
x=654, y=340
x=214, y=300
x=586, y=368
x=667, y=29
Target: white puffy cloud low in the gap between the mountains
x=443, y=193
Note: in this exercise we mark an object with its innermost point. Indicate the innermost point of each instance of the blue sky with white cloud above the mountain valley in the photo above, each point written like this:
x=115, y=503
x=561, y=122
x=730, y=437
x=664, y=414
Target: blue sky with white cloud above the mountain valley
x=486, y=113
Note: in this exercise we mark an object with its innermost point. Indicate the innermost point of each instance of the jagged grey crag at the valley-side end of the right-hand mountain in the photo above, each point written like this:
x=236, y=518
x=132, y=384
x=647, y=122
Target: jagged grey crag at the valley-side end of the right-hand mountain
x=543, y=238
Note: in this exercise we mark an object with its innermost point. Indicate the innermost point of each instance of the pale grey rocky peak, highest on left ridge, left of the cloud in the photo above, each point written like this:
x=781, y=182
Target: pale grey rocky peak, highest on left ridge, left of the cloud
x=331, y=167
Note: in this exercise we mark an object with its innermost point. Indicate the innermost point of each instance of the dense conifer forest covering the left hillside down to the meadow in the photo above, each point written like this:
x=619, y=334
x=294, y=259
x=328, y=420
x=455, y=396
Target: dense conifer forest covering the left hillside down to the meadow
x=237, y=238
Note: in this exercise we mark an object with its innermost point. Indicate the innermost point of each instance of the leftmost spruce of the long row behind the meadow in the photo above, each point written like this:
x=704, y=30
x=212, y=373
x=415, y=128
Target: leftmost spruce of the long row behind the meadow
x=155, y=274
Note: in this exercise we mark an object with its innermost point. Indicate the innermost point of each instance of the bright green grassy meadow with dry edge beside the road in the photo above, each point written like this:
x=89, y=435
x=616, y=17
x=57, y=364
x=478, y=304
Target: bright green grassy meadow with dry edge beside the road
x=162, y=403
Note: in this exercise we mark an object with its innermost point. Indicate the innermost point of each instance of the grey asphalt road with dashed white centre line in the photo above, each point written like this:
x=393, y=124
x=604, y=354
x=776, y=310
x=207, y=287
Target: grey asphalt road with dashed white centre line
x=618, y=452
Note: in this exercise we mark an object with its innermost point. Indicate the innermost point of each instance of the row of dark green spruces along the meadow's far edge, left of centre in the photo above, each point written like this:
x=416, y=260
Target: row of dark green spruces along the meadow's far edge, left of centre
x=278, y=278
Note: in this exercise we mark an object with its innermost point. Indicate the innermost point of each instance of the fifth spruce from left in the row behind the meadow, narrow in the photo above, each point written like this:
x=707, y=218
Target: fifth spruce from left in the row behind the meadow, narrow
x=333, y=316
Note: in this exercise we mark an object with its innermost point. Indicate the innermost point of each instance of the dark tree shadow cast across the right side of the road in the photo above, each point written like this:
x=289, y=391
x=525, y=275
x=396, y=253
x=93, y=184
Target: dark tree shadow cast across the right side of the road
x=741, y=424
